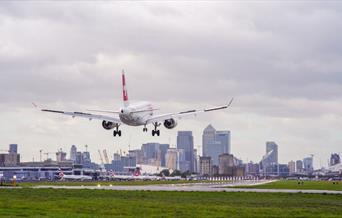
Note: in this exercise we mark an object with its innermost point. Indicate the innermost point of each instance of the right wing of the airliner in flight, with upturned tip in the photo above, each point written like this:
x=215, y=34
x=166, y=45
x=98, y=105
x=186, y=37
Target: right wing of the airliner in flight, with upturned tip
x=180, y=115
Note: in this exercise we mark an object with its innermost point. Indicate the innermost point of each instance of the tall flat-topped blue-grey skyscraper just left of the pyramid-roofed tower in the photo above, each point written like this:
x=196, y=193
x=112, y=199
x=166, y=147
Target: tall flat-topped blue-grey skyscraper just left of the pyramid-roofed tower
x=185, y=141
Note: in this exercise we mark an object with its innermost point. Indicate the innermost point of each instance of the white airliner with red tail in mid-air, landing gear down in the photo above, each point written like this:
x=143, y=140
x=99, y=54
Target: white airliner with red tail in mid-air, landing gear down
x=138, y=114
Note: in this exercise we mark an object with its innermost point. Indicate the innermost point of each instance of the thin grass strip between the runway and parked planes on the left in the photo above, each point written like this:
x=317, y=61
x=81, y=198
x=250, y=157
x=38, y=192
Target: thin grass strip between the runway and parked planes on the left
x=105, y=183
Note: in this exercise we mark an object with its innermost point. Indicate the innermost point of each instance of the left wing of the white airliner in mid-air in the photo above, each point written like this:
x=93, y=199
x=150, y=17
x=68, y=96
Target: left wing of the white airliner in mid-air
x=84, y=115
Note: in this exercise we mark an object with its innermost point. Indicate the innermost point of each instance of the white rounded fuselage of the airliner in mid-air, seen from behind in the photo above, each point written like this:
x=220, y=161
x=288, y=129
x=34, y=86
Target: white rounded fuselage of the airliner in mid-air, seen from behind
x=136, y=114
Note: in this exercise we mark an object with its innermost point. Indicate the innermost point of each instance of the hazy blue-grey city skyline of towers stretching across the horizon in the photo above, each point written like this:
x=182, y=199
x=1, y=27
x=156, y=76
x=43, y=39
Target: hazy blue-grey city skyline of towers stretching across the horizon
x=150, y=152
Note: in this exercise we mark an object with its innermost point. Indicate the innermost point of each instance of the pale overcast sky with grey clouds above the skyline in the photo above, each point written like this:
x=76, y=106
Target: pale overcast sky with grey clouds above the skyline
x=281, y=61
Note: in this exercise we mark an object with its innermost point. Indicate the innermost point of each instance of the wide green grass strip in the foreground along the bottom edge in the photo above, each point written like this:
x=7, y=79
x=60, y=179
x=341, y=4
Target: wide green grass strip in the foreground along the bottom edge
x=29, y=202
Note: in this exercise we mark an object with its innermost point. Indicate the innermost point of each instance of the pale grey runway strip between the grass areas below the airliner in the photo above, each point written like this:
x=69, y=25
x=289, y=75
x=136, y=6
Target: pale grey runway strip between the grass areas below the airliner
x=198, y=187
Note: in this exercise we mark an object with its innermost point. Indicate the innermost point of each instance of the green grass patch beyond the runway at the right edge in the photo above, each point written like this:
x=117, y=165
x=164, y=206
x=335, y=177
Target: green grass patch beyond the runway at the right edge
x=293, y=184
